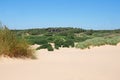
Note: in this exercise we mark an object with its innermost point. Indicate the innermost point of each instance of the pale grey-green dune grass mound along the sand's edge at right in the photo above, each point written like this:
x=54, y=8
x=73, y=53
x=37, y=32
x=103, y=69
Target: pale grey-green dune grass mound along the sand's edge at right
x=98, y=41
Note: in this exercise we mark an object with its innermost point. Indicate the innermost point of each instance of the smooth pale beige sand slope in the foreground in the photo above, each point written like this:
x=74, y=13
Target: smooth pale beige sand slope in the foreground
x=99, y=63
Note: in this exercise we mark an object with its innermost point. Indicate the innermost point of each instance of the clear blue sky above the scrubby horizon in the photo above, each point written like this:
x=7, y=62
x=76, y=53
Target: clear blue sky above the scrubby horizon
x=87, y=14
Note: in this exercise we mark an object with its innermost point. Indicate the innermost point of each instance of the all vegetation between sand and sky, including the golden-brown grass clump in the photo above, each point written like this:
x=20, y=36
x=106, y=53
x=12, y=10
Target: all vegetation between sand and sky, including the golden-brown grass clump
x=16, y=43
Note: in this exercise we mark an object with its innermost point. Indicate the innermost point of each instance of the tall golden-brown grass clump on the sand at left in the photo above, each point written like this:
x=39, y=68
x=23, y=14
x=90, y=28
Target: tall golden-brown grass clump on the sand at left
x=13, y=46
